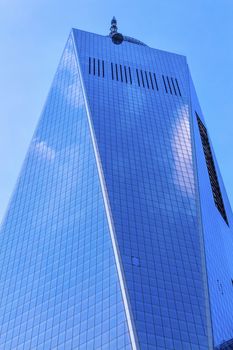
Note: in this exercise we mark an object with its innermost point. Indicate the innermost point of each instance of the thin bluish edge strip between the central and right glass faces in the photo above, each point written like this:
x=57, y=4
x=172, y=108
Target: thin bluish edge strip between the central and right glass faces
x=200, y=223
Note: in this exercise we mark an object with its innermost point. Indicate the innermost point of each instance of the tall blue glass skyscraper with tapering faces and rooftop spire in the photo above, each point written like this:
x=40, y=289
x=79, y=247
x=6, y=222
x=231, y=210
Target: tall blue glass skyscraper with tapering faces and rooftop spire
x=118, y=234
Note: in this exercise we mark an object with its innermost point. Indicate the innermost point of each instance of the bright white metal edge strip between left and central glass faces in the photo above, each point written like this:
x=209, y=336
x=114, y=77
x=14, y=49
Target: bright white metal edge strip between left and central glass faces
x=131, y=328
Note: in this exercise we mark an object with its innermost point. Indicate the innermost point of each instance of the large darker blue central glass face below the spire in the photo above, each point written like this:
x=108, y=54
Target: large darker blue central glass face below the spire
x=145, y=147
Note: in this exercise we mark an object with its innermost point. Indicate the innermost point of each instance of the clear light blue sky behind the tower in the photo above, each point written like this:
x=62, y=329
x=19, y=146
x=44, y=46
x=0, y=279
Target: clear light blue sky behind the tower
x=32, y=37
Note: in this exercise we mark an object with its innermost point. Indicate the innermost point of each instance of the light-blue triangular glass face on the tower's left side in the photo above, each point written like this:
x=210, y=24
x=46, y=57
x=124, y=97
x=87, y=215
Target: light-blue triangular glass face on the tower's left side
x=59, y=284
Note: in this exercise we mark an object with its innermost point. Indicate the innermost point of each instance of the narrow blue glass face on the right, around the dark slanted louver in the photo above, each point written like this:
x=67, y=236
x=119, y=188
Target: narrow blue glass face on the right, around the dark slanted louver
x=218, y=242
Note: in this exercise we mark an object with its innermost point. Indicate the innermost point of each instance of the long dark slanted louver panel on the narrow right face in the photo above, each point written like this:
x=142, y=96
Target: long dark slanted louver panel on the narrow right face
x=211, y=169
